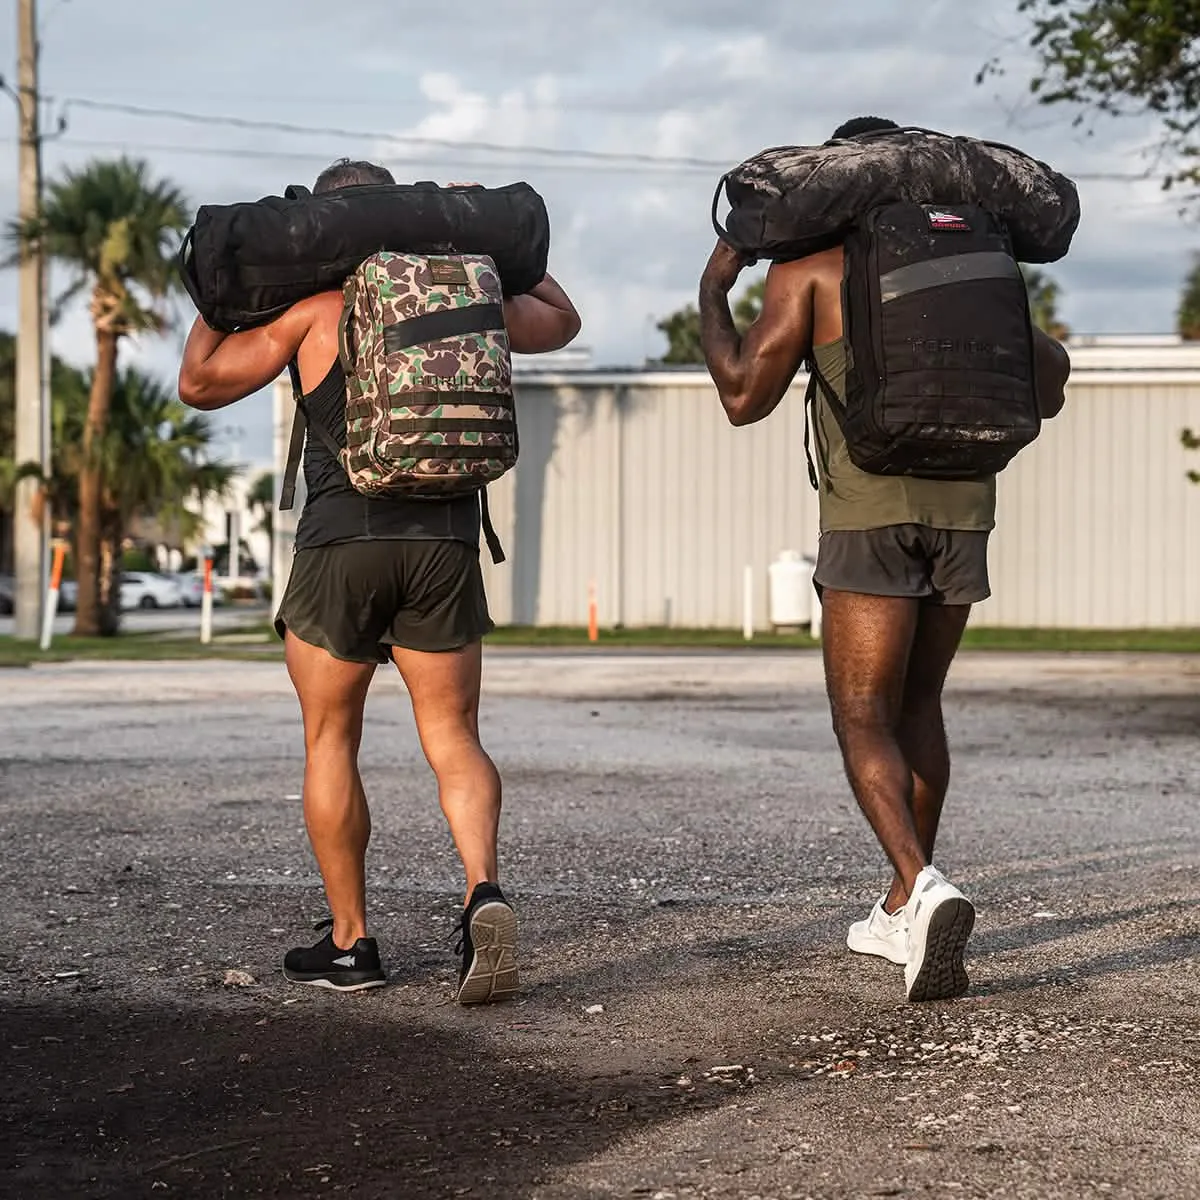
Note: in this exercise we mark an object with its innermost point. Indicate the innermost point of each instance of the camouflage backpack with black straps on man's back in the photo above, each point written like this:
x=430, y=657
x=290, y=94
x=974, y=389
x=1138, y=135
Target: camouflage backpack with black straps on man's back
x=429, y=382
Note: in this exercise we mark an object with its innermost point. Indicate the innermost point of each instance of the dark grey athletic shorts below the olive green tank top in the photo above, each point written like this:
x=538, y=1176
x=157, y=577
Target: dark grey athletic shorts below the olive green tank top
x=940, y=566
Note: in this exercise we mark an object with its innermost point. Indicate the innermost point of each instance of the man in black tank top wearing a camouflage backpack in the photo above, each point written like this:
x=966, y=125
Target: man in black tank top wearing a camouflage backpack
x=387, y=562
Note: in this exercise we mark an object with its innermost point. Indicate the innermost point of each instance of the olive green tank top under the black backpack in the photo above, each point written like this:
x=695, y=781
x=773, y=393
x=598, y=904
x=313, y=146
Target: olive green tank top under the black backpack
x=854, y=500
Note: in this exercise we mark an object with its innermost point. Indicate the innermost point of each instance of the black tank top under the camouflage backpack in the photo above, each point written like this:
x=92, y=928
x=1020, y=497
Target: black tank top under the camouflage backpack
x=334, y=512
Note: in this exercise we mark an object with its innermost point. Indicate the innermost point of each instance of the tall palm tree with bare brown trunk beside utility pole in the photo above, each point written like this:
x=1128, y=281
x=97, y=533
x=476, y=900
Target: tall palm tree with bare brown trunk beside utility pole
x=113, y=229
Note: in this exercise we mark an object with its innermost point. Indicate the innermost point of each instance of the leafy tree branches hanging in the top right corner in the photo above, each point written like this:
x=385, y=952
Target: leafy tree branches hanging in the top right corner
x=1121, y=58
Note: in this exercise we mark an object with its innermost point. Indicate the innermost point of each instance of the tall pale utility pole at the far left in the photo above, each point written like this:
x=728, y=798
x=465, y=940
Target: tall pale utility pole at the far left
x=29, y=526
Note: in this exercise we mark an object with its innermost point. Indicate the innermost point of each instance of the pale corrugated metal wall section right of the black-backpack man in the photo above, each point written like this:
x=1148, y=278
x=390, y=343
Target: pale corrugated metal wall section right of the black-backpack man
x=1099, y=525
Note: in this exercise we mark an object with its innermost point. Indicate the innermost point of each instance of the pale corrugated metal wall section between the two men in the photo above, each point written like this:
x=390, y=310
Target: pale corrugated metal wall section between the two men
x=649, y=493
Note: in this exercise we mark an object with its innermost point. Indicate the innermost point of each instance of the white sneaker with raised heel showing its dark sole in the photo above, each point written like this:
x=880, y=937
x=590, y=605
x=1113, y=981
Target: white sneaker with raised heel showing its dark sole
x=940, y=922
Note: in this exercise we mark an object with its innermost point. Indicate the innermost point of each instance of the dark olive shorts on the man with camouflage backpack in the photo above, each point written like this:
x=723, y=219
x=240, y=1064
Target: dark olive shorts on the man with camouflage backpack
x=359, y=599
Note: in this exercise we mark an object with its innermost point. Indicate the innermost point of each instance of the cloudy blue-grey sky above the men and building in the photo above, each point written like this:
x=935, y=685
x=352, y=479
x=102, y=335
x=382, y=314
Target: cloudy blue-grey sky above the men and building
x=652, y=81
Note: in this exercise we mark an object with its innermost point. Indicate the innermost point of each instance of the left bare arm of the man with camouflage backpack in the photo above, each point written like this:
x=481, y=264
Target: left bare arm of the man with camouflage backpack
x=221, y=369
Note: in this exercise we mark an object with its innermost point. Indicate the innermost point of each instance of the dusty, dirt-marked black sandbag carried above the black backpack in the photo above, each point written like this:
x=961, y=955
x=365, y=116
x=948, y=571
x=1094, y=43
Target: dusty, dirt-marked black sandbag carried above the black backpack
x=795, y=201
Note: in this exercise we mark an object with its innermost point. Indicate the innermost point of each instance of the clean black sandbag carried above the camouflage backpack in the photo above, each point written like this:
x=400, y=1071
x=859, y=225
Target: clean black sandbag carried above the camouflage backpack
x=244, y=265
